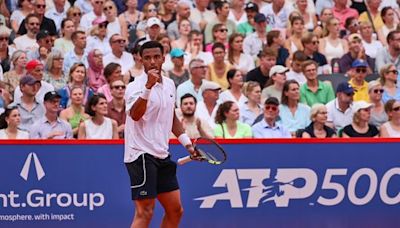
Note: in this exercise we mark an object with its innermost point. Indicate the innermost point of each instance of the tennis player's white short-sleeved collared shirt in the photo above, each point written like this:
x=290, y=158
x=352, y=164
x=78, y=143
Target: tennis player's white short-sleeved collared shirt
x=151, y=133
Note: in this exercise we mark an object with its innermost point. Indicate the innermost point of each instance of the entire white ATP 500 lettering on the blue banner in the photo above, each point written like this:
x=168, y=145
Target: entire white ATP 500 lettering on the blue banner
x=281, y=186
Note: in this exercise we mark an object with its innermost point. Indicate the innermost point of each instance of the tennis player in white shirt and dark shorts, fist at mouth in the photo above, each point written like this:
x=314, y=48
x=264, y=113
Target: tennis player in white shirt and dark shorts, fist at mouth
x=150, y=103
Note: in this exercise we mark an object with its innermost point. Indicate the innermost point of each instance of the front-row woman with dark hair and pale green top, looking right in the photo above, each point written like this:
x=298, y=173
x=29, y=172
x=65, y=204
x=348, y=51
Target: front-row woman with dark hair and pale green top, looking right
x=228, y=125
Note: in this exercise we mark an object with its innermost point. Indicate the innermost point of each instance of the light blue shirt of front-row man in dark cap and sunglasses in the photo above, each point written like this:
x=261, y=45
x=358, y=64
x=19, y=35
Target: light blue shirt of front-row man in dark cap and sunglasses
x=263, y=130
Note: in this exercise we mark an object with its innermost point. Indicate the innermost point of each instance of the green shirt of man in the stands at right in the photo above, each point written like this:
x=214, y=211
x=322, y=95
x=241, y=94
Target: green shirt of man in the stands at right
x=323, y=95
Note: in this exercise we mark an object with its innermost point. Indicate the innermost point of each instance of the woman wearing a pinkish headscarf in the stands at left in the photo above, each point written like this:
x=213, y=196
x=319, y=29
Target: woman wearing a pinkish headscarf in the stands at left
x=95, y=75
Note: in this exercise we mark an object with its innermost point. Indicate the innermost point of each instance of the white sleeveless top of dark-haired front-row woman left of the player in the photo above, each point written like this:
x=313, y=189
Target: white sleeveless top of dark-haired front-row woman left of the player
x=103, y=131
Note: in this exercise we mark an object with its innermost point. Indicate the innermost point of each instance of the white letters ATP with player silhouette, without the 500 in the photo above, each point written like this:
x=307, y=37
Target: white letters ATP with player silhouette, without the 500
x=266, y=185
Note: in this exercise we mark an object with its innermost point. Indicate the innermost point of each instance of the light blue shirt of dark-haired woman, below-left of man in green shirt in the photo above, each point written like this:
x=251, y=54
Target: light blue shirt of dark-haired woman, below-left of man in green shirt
x=300, y=120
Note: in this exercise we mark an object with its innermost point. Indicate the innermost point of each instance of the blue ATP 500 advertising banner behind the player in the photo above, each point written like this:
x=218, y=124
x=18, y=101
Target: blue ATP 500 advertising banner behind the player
x=260, y=185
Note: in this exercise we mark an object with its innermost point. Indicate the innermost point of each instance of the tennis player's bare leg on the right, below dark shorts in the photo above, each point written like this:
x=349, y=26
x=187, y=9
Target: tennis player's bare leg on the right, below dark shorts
x=171, y=202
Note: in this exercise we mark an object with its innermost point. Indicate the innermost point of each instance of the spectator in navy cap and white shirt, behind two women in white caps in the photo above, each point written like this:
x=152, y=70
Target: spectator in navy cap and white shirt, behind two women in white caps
x=340, y=111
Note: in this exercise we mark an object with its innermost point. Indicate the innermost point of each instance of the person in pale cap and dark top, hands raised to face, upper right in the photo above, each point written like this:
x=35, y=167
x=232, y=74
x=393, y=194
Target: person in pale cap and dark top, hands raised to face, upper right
x=356, y=51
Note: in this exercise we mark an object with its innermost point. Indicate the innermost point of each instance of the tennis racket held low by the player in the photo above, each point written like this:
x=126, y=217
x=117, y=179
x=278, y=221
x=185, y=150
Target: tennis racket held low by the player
x=209, y=151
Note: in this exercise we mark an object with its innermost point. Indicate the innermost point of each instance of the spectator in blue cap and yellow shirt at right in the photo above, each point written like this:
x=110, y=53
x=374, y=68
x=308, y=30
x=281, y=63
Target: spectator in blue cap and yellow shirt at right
x=358, y=73
